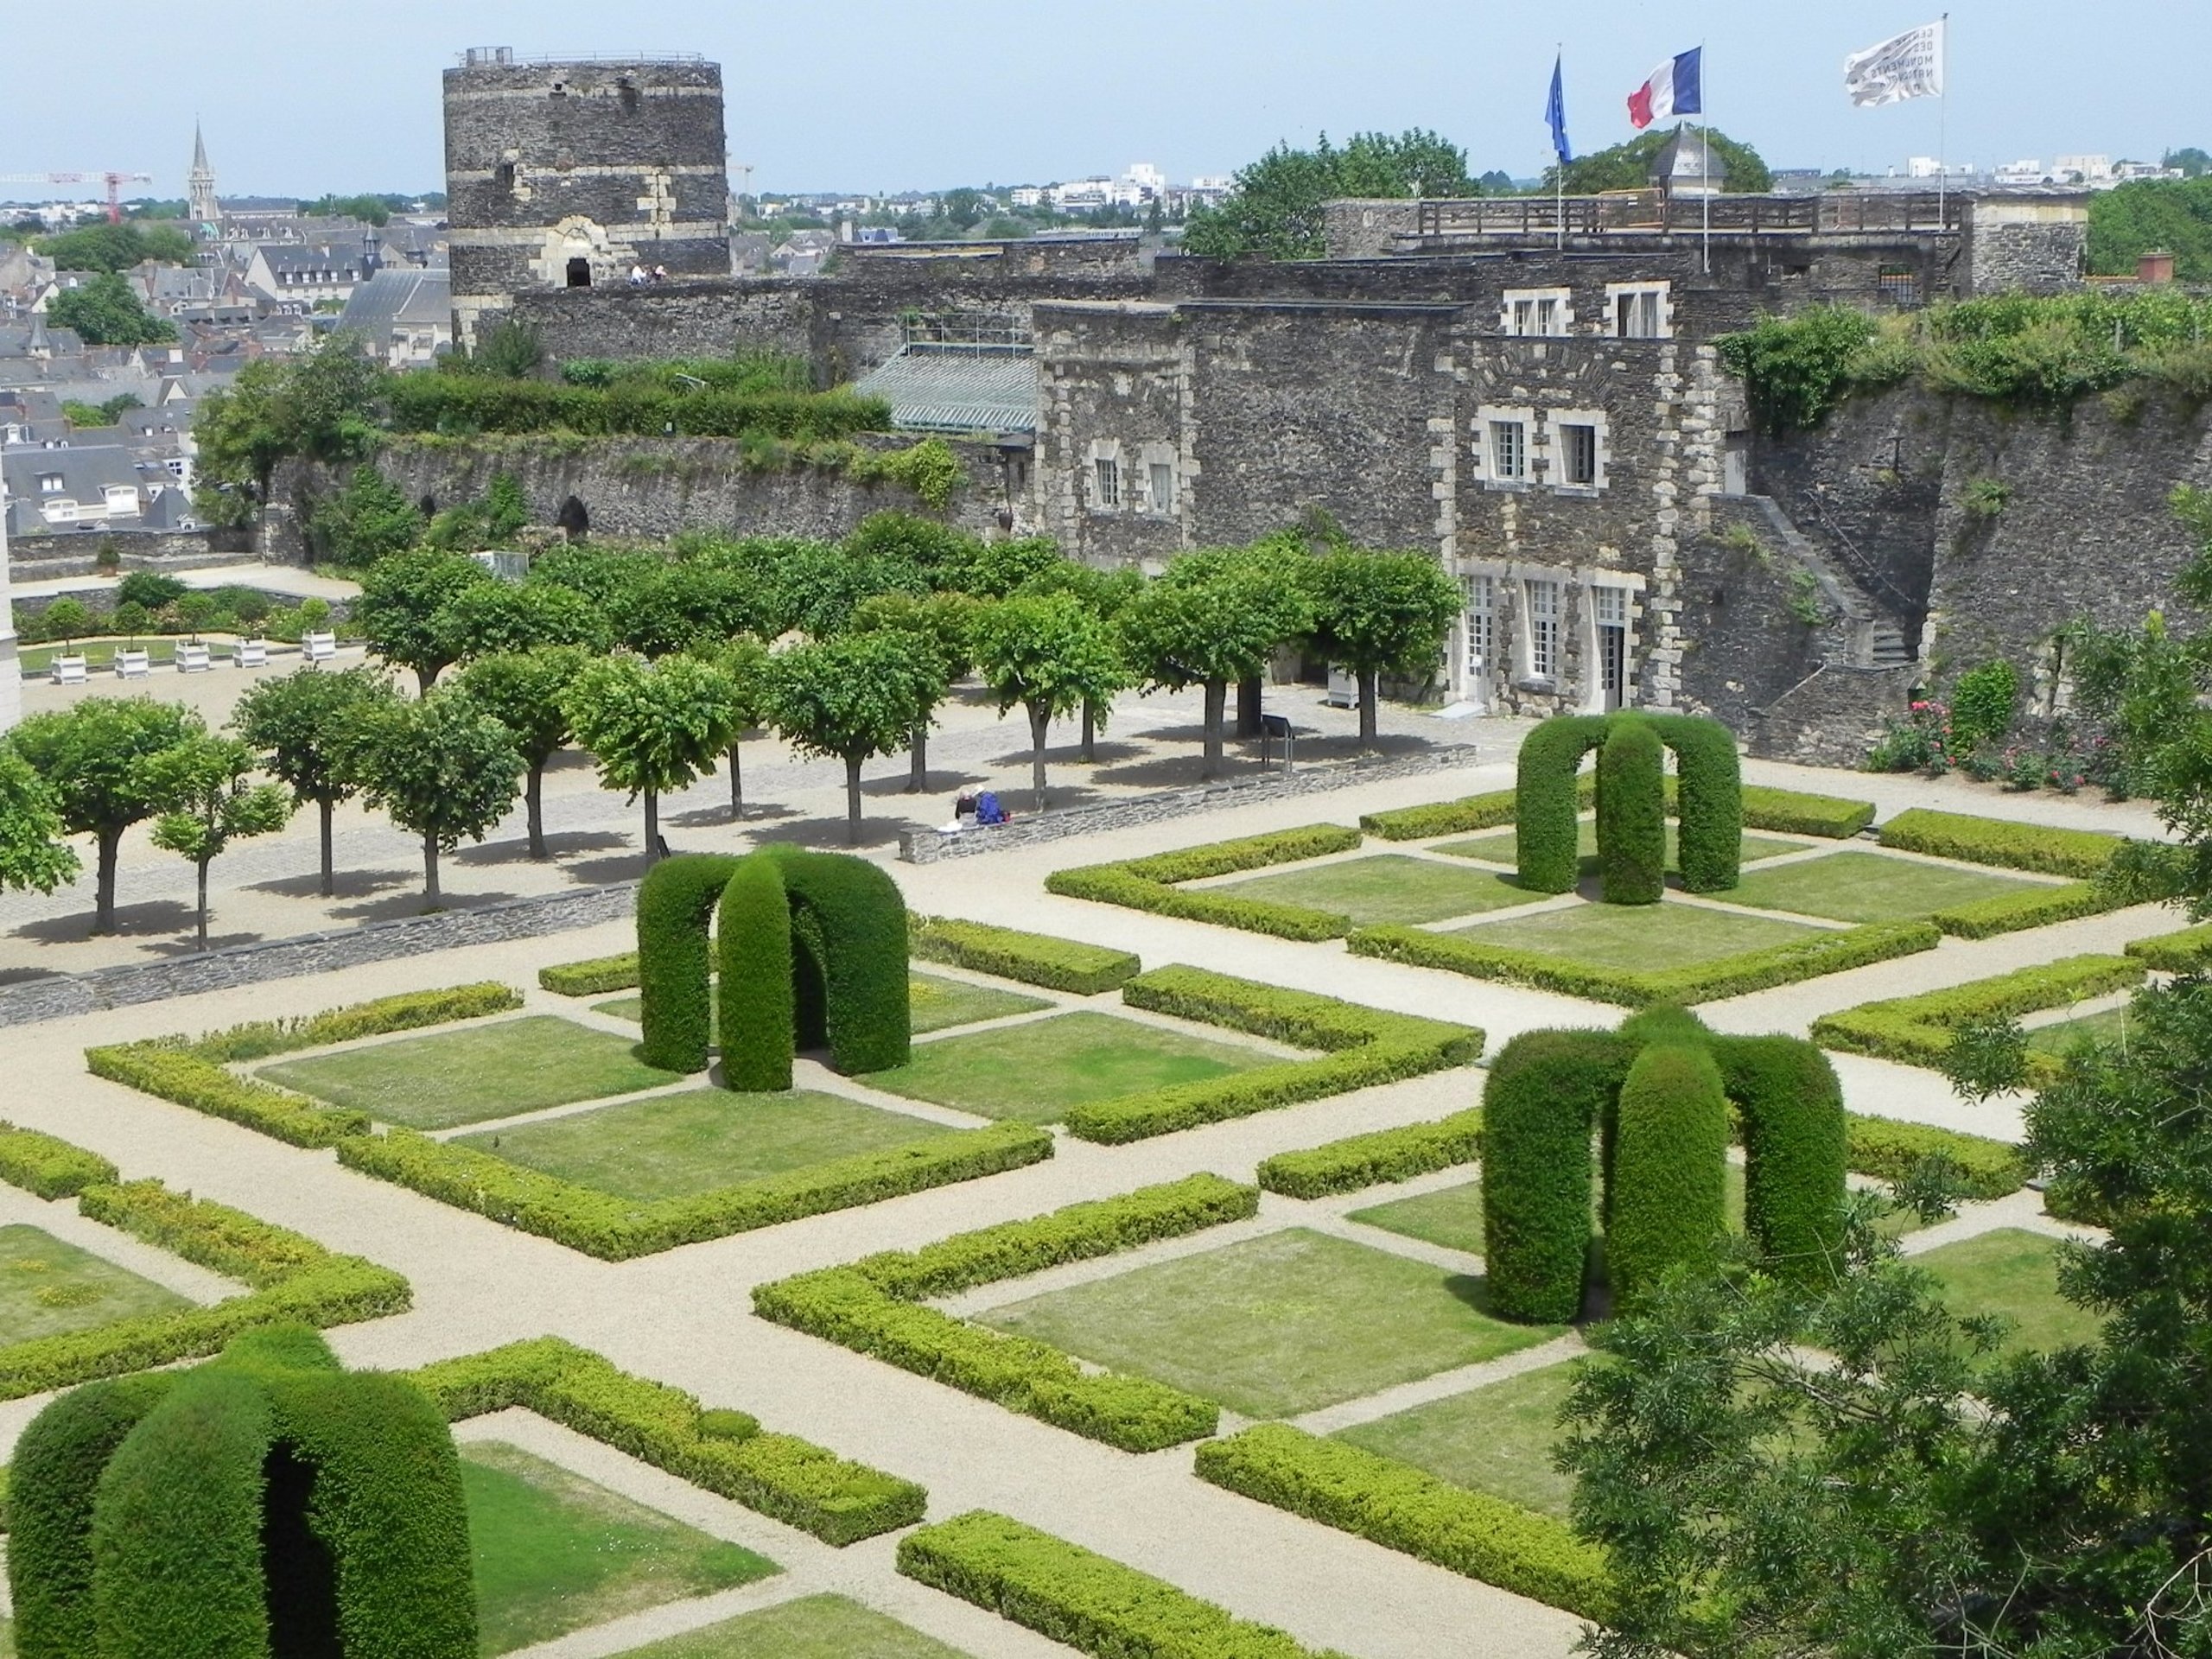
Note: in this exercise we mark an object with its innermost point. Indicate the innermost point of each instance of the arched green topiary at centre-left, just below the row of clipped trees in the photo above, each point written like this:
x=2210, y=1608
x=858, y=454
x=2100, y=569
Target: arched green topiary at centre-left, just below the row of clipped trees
x=813, y=952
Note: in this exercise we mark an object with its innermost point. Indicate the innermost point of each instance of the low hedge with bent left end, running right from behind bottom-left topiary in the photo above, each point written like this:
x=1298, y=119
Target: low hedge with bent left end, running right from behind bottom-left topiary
x=724, y=1452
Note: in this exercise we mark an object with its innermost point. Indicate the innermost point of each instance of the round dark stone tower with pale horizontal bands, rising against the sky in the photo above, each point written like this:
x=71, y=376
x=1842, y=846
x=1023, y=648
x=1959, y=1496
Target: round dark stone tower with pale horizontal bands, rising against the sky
x=567, y=174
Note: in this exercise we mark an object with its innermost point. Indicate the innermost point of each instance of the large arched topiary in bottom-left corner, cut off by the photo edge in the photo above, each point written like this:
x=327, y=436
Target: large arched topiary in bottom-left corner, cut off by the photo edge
x=262, y=1505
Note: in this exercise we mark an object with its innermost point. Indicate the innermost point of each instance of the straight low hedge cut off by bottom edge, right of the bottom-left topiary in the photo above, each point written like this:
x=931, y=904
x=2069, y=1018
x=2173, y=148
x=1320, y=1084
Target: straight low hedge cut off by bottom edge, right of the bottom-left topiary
x=1092, y=1603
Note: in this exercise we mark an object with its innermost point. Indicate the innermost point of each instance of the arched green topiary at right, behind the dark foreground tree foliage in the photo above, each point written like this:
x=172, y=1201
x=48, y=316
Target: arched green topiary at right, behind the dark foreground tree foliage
x=1552, y=1092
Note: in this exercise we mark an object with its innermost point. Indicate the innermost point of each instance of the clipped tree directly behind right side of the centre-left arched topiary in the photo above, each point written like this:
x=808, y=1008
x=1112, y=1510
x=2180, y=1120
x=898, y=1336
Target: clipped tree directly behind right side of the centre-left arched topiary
x=853, y=698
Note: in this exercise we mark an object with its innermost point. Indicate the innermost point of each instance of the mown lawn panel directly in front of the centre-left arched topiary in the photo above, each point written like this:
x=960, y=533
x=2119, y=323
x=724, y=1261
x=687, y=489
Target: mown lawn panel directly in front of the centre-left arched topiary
x=700, y=1140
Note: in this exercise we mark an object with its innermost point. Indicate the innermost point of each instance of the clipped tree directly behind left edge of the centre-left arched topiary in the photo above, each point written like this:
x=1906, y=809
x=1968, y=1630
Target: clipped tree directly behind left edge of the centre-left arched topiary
x=654, y=727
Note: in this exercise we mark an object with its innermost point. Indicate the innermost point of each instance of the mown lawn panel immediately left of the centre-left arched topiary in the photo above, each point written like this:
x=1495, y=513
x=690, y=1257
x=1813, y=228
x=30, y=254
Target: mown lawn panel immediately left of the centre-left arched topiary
x=474, y=1074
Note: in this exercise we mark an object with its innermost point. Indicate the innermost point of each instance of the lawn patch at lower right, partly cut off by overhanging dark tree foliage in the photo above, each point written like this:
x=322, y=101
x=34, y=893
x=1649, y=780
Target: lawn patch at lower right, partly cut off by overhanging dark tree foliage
x=1494, y=1439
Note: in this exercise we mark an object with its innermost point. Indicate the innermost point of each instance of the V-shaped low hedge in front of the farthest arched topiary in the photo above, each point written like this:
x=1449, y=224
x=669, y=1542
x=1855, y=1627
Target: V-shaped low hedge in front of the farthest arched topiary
x=1830, y=952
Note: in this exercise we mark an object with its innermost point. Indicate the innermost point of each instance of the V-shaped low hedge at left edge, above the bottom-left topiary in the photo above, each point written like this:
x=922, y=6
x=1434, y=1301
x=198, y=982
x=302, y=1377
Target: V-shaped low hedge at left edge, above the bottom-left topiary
x=291, y=1275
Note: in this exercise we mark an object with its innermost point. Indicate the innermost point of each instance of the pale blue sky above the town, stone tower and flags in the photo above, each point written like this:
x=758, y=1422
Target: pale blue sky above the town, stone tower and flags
x=917, y=94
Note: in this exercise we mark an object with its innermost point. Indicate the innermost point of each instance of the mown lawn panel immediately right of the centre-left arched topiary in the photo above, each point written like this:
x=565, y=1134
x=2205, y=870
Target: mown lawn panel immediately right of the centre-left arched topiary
x=1036, y=1072
